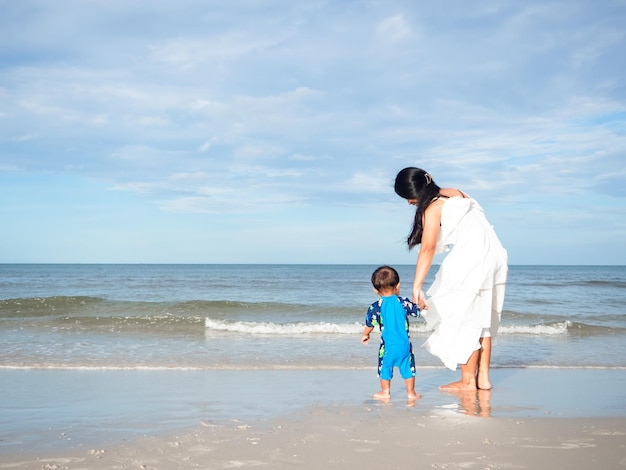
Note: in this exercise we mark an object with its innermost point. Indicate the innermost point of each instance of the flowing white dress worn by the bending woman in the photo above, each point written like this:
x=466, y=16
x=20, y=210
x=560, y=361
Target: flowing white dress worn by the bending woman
x=465, y=300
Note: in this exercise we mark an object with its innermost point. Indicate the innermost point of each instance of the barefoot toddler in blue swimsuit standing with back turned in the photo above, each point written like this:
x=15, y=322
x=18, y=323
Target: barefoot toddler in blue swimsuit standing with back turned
x=390, y=313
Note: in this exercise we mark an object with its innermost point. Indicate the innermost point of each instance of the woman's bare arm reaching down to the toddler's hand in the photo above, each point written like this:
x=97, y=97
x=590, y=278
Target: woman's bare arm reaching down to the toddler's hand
x=432, y=225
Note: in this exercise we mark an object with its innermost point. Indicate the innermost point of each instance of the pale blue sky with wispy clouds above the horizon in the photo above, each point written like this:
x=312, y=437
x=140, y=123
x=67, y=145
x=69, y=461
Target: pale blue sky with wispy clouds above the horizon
x=271, y=131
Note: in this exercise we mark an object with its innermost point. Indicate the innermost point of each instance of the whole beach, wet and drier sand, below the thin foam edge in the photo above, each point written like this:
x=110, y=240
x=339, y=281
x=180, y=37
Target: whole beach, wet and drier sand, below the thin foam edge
x=533, y=419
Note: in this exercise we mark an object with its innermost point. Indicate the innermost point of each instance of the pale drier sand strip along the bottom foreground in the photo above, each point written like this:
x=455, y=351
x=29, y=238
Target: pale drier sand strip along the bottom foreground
x=365, y=438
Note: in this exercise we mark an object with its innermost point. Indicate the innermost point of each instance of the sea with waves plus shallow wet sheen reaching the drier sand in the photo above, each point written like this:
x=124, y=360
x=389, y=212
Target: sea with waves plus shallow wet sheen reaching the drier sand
x=92, y=355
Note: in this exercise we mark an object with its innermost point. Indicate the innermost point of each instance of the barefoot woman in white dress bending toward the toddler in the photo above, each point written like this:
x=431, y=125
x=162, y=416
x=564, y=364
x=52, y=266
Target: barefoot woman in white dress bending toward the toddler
x=466, y=297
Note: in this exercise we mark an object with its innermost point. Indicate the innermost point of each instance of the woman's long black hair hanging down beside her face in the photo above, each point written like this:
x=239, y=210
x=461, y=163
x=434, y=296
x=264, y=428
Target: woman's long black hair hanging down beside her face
x=415, y=183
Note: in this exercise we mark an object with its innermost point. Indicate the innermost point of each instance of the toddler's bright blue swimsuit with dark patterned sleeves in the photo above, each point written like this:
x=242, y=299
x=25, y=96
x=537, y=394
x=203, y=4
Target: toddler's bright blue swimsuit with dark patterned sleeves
x=390, y=314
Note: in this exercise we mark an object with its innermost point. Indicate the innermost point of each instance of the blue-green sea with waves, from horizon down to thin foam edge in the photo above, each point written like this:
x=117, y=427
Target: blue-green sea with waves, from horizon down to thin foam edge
x=236, y=317
